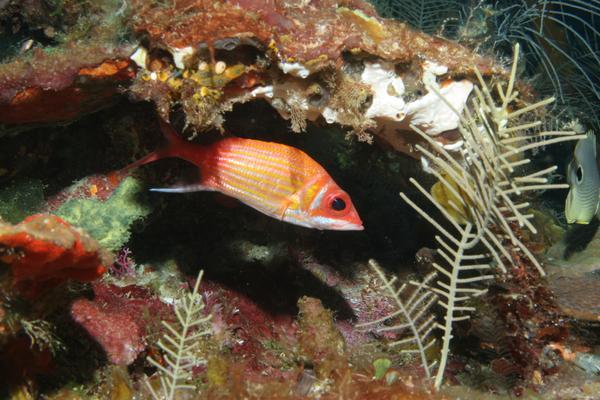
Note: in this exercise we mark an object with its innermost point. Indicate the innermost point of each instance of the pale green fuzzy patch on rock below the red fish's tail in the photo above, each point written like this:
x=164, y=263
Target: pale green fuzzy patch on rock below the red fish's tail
x=108, y=221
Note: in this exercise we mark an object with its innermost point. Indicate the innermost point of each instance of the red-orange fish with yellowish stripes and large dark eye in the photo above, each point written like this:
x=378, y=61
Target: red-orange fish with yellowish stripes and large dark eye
x=277, y=180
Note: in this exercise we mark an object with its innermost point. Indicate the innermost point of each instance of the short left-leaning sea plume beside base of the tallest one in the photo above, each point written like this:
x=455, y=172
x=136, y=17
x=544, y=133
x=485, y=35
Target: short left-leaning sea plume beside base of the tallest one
x=412, y=315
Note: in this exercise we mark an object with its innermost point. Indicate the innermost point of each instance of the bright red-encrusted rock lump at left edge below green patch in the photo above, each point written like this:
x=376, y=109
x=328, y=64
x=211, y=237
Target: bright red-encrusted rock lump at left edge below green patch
x=44, y=251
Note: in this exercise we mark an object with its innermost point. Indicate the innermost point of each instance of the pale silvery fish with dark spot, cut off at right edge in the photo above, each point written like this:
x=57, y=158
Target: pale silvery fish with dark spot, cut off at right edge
x=583, y=177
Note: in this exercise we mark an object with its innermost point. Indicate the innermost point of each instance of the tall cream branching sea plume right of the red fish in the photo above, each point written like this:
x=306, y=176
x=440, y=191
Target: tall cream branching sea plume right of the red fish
x=485, y=170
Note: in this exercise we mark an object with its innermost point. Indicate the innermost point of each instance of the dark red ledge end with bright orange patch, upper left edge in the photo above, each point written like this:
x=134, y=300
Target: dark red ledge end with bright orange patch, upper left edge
x=58, y=86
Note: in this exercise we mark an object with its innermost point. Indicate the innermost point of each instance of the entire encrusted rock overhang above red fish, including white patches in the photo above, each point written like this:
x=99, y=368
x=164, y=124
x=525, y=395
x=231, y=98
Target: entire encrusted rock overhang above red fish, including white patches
x=310, y=60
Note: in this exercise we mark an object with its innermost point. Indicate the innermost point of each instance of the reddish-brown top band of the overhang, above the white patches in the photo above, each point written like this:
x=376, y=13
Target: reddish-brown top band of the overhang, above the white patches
x=305, y=36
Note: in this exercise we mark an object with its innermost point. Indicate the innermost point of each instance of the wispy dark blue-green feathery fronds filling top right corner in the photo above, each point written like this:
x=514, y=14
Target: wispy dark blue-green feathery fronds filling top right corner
x=560, y=39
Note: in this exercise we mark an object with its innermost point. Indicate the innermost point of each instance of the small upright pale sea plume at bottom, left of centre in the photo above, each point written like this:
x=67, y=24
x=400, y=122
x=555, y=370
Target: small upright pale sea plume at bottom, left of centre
x=179, y=344
